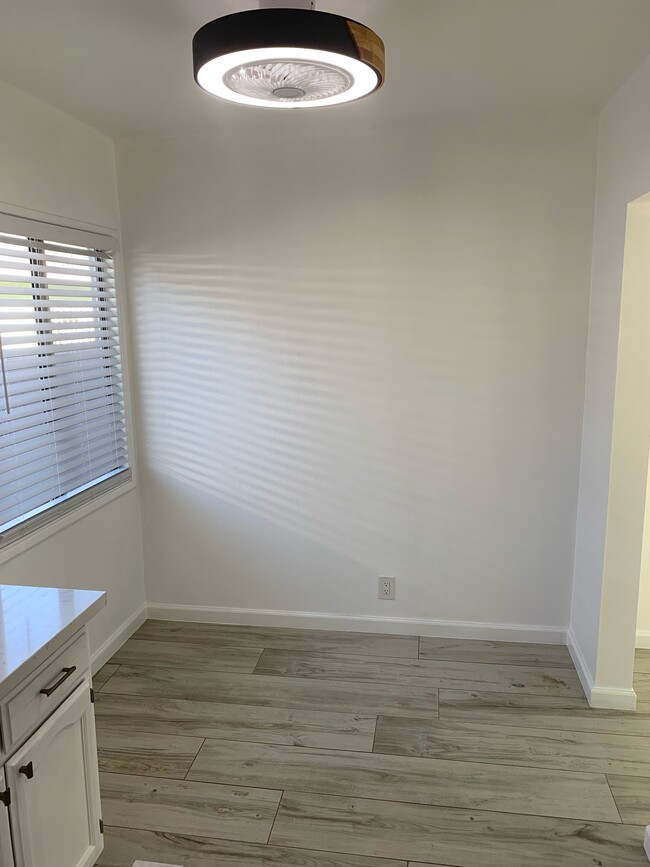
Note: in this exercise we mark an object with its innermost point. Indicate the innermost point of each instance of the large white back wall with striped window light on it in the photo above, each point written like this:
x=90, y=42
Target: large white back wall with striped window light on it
x=362, y=352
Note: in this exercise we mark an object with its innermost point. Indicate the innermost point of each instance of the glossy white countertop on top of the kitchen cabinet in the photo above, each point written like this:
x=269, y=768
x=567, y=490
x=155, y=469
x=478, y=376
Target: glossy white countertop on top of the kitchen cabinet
x=36, y=620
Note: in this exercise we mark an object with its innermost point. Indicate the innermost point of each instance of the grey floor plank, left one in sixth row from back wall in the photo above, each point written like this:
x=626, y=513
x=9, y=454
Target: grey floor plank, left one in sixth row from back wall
x=179, y=807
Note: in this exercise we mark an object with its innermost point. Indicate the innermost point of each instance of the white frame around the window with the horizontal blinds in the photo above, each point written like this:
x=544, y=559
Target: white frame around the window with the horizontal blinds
x=45, y=520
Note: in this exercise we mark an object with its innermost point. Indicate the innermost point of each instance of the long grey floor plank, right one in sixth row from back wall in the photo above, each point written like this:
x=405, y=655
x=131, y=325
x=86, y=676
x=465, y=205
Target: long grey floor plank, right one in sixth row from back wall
x=464, y=838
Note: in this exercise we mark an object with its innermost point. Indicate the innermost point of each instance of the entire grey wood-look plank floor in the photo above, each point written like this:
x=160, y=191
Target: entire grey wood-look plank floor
x=250, y=747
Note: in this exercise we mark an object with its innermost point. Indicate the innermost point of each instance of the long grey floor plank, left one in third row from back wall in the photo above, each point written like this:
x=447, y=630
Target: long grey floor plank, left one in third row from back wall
x=358, y=698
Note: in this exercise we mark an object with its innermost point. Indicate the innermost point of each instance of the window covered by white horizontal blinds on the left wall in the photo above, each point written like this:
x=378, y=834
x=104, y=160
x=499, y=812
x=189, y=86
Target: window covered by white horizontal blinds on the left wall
x=63, y=436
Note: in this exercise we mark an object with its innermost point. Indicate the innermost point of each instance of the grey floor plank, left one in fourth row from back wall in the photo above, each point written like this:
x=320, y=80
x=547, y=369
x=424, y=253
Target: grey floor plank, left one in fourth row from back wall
x=300, y=728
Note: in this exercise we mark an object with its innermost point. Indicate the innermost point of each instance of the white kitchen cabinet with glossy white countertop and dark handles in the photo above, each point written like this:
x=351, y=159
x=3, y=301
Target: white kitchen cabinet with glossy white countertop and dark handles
x=50, y=811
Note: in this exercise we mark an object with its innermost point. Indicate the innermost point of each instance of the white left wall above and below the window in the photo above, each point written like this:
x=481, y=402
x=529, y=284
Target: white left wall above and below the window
x=58, y=169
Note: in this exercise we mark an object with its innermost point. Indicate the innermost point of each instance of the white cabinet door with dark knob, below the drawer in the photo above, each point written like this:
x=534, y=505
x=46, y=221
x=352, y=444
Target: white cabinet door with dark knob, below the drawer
x=54, y=785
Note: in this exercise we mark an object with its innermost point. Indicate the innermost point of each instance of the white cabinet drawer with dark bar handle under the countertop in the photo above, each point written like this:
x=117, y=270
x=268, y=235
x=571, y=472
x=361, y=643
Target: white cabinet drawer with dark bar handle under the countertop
x=35, y=701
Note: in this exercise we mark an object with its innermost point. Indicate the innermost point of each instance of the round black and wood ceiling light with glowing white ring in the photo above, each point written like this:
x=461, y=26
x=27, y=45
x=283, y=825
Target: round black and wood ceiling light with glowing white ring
x=279, y=57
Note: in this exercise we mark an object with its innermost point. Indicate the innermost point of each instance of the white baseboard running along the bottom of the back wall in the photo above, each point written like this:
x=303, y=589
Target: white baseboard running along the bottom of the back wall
x=358, y=623
